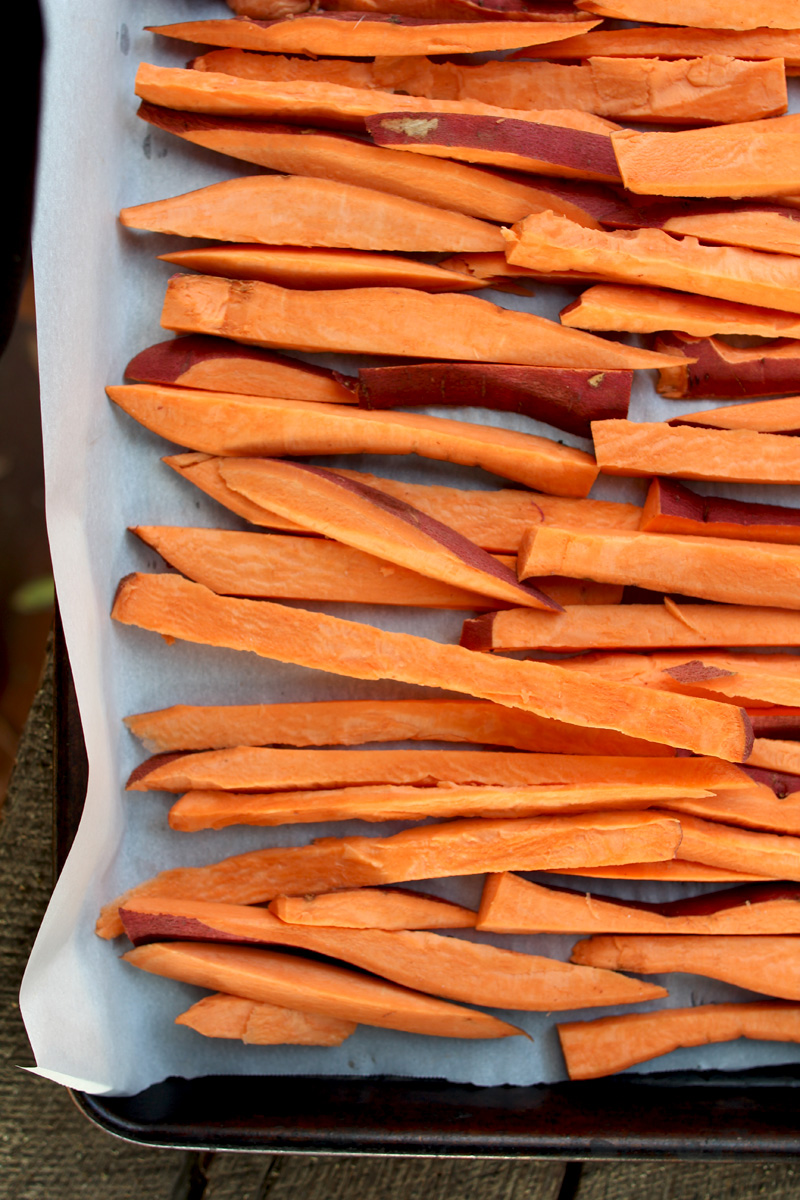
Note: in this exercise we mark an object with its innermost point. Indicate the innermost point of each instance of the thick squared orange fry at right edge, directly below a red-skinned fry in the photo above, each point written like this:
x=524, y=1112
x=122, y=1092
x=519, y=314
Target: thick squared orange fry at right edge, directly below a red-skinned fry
x=730, y=572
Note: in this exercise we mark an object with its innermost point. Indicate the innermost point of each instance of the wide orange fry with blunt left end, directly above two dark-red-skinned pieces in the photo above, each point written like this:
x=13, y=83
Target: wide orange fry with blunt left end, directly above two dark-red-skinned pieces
x=388, y=321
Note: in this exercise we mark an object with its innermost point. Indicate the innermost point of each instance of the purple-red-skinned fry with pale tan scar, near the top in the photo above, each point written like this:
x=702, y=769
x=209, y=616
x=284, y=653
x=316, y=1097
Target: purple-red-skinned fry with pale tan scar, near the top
x=526, y=146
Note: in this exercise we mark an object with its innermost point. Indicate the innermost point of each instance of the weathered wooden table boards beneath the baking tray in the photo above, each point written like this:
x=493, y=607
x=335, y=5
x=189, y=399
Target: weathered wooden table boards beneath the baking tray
x=49, y=1149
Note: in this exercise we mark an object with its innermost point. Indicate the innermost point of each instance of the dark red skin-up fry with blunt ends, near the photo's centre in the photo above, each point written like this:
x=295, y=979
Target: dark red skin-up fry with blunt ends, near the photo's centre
x=568, y=399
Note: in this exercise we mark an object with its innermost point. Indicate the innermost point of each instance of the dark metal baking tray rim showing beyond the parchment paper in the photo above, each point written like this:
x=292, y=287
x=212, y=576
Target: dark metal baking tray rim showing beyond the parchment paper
x=690, y=1115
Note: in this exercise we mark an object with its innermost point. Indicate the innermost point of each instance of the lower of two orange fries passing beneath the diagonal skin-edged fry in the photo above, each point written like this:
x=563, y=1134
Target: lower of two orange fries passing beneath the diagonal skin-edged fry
x=280, y=567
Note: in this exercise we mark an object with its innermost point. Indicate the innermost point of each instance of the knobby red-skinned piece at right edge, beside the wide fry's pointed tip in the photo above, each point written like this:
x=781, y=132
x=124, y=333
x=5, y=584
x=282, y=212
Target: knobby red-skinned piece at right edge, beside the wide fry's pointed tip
x=724, y=373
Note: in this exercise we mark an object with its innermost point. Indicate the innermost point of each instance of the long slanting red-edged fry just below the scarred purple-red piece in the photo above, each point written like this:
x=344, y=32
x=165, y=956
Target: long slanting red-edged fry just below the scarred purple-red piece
x=348, y=160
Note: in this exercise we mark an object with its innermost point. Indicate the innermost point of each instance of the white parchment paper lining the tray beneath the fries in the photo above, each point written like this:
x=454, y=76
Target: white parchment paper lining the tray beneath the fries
x=95, y=1023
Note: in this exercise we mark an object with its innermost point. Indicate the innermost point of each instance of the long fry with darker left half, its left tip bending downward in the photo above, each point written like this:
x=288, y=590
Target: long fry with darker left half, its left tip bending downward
x=456, y=848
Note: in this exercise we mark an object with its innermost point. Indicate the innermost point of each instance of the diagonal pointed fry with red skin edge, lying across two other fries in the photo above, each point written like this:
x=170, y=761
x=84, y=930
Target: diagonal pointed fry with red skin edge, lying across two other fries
x=368, y=520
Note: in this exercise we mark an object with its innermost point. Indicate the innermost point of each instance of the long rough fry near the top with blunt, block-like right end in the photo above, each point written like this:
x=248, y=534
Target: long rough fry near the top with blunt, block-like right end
x=690, y=92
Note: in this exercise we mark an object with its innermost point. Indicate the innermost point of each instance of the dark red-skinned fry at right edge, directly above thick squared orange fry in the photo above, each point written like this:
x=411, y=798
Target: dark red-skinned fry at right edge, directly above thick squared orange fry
x=673, y=508
